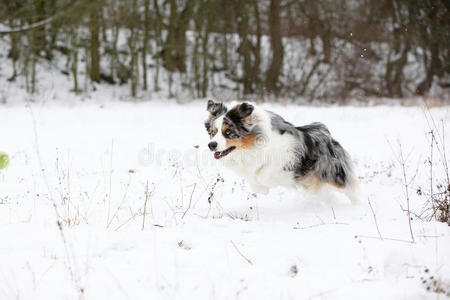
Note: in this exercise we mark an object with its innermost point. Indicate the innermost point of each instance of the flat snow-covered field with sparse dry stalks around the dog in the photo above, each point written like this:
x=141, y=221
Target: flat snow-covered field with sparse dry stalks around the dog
x=147, y=213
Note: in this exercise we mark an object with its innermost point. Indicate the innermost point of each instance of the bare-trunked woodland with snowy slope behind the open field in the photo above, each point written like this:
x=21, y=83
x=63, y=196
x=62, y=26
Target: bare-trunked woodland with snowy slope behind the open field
x=318, y=50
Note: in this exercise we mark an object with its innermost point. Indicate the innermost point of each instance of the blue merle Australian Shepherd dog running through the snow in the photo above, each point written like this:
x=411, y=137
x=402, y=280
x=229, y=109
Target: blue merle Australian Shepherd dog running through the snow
x=268, y=151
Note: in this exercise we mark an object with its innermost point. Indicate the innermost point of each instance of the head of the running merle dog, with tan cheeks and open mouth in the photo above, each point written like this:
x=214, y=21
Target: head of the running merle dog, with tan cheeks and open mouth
x=230, y=130
